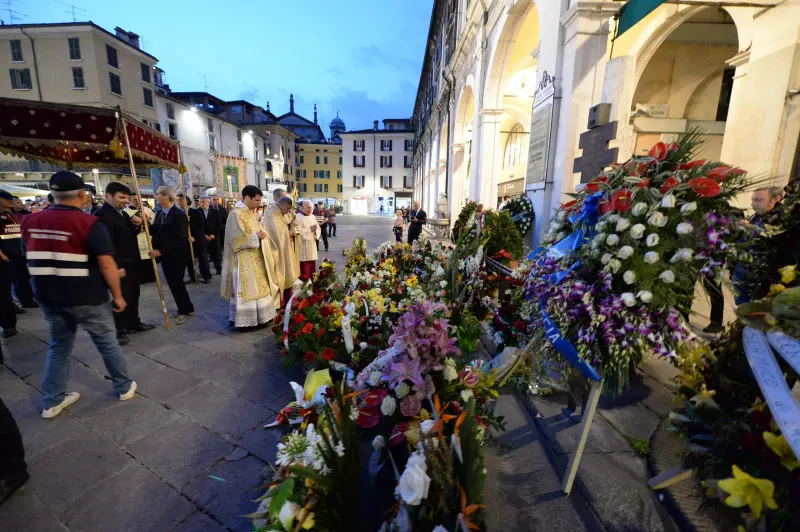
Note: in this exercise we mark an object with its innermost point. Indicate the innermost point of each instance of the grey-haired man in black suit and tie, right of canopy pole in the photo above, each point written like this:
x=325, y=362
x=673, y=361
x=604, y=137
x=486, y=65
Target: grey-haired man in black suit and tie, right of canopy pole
x=171, y=243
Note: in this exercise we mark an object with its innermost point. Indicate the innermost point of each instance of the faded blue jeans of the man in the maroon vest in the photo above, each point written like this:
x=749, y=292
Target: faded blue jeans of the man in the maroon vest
x=98, y=321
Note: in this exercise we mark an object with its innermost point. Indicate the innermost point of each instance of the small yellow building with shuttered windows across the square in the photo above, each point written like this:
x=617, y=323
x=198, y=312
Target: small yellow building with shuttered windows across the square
x=319, y=171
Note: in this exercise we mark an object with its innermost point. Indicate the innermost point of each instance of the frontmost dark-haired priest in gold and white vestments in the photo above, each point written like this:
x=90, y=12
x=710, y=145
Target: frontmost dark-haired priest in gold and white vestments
x=249, y=279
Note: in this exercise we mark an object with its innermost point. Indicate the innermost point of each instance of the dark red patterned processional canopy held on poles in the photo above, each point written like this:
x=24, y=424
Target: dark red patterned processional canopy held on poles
x=79, y=135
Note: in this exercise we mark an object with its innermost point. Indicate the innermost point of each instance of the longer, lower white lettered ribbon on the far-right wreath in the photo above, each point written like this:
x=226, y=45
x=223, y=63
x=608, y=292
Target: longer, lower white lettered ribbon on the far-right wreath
x=773, y=385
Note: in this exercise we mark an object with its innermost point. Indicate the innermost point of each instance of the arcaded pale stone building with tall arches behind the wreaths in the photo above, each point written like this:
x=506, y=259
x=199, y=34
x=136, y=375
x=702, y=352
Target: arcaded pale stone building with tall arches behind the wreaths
x=507, y=87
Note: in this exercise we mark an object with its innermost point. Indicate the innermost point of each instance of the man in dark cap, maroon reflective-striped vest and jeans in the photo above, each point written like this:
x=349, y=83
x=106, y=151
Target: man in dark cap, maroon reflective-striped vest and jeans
x=71, y=262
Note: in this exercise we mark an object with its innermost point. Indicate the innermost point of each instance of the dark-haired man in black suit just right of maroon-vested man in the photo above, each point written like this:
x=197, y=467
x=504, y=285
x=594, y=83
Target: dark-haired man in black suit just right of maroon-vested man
x=123, y=230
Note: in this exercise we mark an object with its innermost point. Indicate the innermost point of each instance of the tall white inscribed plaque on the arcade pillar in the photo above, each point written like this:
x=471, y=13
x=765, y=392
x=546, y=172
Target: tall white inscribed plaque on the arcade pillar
x=539, y=138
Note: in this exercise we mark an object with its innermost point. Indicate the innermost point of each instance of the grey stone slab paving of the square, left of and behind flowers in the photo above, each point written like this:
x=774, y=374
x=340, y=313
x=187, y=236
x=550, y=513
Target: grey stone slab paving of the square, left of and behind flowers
x=188, y=453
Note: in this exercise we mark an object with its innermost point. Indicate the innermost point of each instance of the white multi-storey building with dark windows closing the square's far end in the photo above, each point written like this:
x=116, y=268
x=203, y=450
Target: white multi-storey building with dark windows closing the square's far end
x=377, y=168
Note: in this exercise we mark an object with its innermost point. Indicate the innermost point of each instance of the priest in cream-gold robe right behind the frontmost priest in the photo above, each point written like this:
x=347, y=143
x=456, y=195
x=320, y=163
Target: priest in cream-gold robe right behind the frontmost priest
x=287, y=266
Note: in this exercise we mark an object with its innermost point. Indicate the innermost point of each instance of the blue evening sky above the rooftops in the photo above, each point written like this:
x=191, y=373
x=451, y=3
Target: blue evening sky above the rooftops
x=360, y=57
